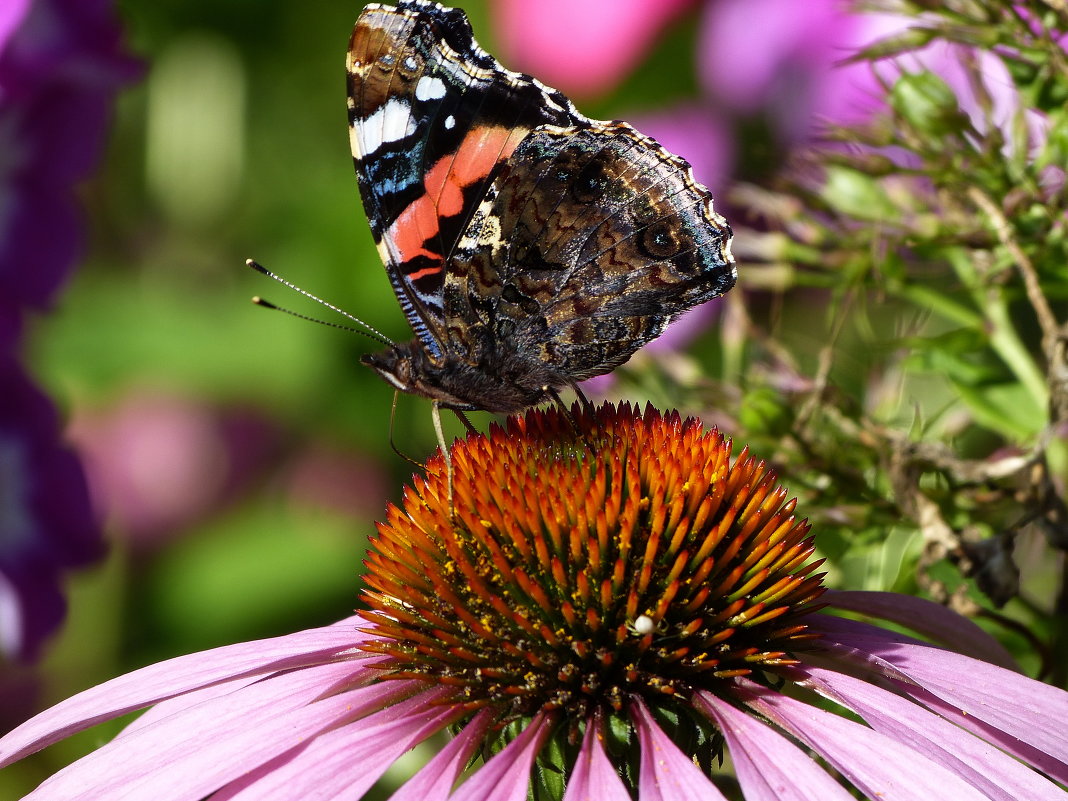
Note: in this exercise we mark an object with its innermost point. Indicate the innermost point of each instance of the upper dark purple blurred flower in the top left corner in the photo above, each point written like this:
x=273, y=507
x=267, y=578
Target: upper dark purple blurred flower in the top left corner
x=60, y=68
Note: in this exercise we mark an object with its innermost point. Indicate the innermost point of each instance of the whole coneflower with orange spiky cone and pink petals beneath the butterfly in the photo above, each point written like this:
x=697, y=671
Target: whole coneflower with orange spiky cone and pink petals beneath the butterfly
x=627, y=603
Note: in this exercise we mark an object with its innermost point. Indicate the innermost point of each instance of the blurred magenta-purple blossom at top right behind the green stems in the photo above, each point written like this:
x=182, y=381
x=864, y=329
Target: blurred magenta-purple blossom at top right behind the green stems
x=782, y=60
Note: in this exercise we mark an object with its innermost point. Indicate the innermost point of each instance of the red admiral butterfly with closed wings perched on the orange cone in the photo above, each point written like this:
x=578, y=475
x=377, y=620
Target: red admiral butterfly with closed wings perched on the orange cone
x=529, y=246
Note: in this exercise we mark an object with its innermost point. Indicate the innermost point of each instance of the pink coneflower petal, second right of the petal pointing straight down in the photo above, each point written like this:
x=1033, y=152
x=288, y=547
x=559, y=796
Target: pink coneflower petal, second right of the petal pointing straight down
x=769, y=767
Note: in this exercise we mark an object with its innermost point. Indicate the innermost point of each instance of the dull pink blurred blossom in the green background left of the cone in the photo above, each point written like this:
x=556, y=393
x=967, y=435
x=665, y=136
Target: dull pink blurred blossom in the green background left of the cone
x=159, y=464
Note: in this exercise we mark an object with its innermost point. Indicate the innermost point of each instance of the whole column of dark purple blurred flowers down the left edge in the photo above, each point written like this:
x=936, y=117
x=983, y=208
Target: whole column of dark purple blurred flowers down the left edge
x=60, y=67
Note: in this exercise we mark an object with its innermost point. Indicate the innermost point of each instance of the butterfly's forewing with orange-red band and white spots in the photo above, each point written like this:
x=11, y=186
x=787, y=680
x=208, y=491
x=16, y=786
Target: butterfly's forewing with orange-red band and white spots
x=432, y=117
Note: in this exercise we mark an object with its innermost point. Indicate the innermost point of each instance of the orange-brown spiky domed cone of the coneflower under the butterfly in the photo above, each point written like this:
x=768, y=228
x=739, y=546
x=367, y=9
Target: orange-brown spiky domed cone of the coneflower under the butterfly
x=590, y=558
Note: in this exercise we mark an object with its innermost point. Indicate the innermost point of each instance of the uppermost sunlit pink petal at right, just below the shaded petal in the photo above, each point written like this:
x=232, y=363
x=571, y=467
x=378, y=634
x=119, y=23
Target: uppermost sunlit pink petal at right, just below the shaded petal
x=1033, y=715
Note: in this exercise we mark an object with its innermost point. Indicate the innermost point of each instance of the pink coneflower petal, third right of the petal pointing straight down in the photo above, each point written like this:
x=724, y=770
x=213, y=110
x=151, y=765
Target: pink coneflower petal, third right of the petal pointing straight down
x=879, y=766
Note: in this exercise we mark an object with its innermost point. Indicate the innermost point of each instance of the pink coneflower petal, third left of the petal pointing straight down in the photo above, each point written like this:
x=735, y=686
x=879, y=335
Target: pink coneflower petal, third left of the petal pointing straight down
x=347, y=762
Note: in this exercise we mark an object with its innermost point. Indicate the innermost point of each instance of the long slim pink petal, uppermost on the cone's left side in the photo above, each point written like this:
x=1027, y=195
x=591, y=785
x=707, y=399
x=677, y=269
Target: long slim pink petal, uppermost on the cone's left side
x=176, y=677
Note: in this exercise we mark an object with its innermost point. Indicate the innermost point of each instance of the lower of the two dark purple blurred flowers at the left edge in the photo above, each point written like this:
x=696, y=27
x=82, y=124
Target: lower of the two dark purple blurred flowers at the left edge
x=46, y=524
